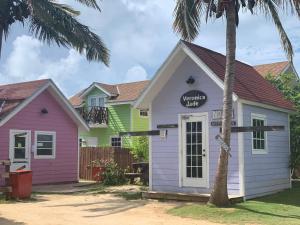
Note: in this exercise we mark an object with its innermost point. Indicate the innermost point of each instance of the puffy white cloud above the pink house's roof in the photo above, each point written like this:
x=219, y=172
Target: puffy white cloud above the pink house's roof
x=26, y=62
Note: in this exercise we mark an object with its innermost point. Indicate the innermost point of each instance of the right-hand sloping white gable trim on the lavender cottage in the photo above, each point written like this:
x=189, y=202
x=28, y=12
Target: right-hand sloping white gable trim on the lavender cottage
x=206, y=69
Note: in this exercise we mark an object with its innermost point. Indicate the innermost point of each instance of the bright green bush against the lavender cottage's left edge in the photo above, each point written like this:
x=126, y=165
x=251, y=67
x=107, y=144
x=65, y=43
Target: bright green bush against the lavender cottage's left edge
x=140, y=148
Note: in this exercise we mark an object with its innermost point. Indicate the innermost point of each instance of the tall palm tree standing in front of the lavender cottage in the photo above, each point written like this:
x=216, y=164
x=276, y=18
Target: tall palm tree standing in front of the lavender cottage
x=188, y=16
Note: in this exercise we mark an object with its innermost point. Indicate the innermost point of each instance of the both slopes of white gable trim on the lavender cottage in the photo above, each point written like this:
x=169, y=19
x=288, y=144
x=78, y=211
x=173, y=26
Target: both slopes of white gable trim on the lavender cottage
x=151, y=91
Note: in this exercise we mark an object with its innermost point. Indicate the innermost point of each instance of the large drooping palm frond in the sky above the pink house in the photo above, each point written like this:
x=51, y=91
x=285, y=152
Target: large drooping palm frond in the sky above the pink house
x=52, y=24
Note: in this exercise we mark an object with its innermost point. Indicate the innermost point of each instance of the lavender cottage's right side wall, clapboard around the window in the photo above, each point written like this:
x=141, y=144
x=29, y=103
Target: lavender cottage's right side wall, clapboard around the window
x=269, y=172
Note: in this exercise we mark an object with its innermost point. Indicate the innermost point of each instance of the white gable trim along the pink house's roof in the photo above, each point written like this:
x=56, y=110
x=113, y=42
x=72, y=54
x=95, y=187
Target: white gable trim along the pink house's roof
x=67, y=105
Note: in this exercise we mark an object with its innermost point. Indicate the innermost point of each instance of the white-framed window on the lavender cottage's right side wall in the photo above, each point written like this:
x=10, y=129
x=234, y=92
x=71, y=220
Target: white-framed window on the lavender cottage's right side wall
x=259, y=138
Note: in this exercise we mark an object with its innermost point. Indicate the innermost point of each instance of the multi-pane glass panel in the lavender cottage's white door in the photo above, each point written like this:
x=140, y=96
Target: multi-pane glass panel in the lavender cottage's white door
x=194, y=149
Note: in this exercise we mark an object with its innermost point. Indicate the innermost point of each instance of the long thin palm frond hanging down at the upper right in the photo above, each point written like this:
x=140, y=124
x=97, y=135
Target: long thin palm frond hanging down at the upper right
x=285, y=41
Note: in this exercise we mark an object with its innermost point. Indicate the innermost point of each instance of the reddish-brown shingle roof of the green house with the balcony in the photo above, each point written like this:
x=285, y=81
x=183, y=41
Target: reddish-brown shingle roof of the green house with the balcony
x=121, y=92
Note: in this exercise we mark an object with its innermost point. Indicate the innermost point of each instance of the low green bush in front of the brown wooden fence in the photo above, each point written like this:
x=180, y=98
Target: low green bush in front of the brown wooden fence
x=113, y=175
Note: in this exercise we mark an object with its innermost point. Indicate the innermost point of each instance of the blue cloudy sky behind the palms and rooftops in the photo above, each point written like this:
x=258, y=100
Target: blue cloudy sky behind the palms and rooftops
x=139, y=35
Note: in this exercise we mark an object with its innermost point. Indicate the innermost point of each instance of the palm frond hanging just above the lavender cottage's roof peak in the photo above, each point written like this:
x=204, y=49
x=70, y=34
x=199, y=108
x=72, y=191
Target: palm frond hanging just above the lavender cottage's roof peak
x=187, y=18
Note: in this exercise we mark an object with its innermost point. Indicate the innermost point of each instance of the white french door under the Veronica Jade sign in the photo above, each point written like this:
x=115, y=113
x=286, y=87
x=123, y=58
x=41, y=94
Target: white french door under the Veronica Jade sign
x=194, y=136
